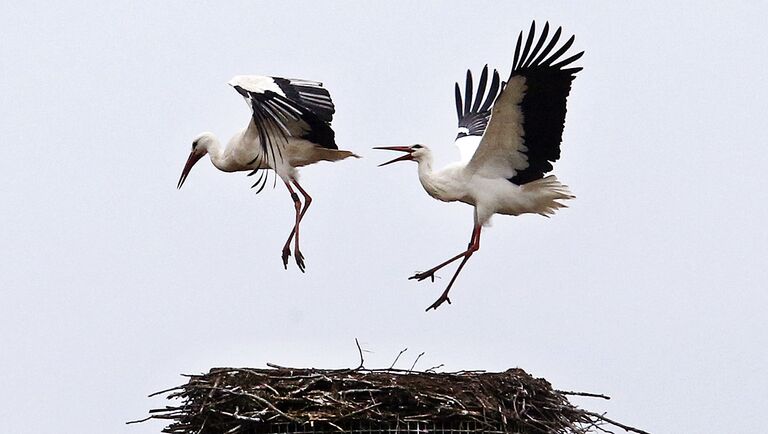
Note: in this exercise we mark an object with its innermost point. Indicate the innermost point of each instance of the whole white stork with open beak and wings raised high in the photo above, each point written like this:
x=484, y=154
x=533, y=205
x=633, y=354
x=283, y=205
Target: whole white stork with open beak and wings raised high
x=507, y=139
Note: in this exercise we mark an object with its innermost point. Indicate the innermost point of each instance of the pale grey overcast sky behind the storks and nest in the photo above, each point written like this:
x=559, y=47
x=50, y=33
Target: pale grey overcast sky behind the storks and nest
x=650, y=288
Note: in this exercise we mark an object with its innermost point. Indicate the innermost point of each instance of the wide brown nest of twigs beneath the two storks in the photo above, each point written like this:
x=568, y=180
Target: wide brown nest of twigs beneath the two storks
x=241, y=400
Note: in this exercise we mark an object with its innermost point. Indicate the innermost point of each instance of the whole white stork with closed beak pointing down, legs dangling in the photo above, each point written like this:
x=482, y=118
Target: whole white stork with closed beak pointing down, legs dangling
x=289, y=128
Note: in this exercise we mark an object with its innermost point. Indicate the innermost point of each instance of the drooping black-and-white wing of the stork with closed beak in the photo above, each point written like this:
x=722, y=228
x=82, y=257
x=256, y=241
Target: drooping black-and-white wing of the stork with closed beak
x=284, y=107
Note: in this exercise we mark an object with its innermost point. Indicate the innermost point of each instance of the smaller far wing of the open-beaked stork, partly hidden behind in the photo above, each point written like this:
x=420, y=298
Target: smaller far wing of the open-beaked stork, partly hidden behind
x=473, y=117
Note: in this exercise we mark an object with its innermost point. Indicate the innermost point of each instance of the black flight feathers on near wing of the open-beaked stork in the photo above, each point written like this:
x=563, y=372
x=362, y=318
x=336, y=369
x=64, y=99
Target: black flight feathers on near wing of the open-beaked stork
x=544, y=102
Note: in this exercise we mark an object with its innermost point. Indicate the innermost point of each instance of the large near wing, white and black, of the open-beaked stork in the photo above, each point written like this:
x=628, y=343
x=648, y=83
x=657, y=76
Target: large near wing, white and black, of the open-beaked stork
x=526, y=125
